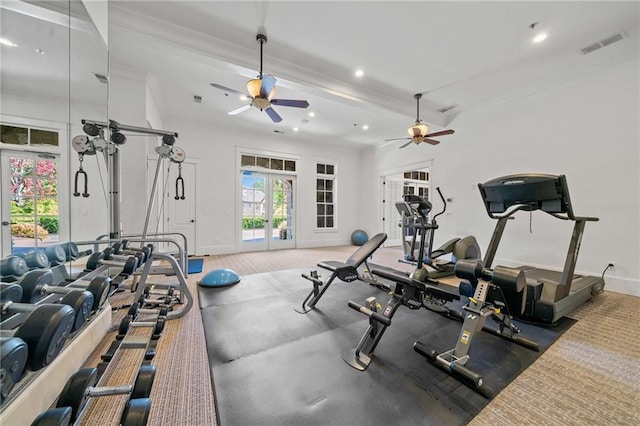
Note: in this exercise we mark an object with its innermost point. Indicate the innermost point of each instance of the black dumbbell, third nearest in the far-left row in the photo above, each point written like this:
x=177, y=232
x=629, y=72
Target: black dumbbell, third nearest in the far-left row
x=38, y=284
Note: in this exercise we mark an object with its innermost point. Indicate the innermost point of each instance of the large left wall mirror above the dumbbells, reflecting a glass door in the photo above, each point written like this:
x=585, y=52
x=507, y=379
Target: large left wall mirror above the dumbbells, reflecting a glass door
x=54, y=74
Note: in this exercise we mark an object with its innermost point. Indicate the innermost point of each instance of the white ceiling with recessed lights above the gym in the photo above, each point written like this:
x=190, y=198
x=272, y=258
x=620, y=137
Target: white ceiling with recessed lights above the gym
x=471, y=54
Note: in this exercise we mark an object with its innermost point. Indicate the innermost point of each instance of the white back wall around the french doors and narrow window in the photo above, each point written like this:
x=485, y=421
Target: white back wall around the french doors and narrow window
x=215, y=147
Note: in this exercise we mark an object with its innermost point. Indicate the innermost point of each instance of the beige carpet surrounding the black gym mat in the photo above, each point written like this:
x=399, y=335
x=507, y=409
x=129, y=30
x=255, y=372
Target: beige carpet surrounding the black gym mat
x=591, y=375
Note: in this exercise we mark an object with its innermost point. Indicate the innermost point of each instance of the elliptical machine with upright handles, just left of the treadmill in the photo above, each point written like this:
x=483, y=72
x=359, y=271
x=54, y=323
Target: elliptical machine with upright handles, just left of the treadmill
x=414, y=211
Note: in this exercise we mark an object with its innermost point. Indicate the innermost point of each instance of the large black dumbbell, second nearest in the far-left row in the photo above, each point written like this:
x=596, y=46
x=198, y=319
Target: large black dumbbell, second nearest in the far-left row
x=44, y=329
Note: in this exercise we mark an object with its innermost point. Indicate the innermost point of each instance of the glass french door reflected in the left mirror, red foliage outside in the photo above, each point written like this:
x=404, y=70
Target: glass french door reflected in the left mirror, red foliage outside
x=30, y=204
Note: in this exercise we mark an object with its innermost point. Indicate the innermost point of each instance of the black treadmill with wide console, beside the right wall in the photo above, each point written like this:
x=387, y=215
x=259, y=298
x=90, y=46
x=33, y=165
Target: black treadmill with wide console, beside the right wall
x=550, y=294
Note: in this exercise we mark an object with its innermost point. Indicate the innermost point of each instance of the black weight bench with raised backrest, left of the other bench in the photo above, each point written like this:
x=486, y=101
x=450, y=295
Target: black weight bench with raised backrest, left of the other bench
x=346, y=271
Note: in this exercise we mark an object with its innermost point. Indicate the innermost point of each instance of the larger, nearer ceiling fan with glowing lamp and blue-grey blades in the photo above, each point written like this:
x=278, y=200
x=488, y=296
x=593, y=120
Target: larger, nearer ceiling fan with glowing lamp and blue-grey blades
x=261, y=91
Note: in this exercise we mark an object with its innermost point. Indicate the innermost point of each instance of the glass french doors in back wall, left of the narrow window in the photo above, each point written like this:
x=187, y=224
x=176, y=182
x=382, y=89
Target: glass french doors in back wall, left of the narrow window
x=268, y=211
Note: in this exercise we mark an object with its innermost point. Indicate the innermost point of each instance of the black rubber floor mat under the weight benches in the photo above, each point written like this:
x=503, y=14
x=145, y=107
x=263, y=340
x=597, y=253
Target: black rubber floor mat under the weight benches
x=274, y=366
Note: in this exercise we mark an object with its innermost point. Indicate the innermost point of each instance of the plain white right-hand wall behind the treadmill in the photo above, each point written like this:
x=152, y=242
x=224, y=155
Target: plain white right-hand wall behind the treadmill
x=587, y=129
